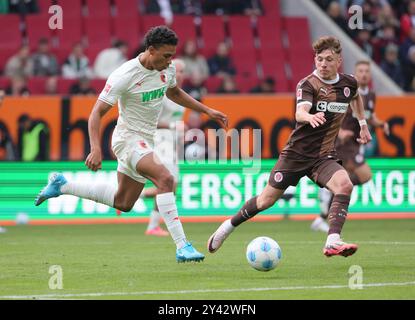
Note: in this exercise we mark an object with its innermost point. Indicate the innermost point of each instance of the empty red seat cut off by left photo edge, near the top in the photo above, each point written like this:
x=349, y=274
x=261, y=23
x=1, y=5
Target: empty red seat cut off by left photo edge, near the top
x=12, y=38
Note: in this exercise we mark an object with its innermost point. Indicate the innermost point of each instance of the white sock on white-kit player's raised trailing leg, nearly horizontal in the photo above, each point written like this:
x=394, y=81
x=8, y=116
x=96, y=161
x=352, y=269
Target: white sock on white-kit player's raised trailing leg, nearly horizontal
x=98, y=192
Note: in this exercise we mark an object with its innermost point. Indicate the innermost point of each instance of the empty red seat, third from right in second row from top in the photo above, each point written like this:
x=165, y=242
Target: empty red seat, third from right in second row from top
x=241, y=32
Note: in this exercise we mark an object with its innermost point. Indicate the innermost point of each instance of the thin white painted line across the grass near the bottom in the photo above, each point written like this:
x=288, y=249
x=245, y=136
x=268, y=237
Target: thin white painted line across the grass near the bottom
x=141, y=293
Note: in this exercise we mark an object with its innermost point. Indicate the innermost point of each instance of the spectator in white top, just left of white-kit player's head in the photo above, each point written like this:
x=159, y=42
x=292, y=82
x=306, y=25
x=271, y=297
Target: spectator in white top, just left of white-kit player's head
x=110, y=59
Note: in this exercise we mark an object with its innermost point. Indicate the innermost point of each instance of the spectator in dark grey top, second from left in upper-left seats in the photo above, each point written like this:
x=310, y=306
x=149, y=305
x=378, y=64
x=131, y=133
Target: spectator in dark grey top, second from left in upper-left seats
x=44, y=63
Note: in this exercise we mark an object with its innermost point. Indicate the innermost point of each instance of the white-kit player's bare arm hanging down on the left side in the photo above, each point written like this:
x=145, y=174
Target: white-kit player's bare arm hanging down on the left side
x=94, y=158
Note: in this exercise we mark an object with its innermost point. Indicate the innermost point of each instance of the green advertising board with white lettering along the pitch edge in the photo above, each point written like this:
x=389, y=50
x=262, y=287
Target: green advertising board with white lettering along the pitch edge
x=206, y=192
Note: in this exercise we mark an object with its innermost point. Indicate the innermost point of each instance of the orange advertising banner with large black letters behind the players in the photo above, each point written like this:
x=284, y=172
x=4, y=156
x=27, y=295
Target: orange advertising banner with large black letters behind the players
x=67, y=120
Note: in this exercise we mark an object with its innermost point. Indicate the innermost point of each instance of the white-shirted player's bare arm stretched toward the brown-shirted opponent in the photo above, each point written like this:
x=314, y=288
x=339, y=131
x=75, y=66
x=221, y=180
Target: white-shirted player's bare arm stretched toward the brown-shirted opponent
x=182, y=98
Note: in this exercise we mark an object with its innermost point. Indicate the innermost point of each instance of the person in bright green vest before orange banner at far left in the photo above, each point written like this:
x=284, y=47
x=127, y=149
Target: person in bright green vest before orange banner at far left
x=33, y=139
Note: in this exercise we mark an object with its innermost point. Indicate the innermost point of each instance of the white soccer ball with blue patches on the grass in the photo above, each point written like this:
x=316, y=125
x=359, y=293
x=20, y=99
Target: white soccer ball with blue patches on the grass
x=263, y=253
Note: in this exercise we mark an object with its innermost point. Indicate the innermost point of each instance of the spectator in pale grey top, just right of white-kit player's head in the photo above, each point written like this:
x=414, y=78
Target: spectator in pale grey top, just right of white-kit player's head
x=195, y=63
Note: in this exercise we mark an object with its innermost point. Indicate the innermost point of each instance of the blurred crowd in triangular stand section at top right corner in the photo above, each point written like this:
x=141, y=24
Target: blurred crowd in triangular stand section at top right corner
x=388, y=34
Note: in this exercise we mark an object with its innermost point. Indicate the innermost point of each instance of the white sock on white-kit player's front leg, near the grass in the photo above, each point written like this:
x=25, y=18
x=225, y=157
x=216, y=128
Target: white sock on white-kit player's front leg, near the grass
x=166, y=203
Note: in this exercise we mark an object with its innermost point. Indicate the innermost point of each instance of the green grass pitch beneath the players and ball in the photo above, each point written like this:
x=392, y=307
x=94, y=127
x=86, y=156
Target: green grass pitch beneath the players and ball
x=119, y=262
